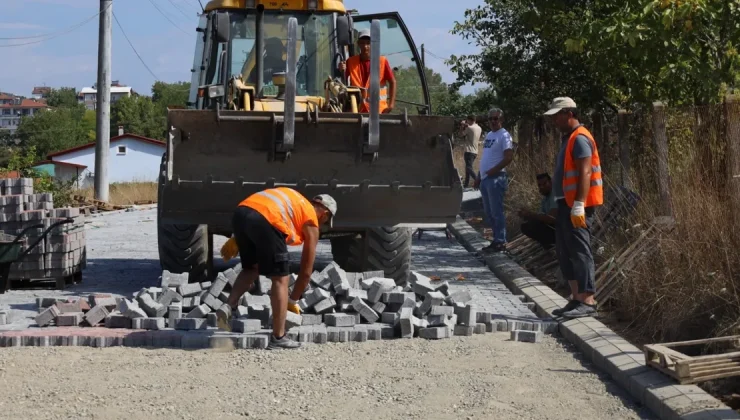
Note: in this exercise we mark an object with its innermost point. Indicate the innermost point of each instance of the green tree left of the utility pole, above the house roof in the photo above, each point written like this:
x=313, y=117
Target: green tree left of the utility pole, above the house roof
x=53, y=130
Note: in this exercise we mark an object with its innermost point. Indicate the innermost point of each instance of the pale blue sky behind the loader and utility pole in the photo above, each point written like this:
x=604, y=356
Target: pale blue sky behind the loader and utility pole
x=164, y=37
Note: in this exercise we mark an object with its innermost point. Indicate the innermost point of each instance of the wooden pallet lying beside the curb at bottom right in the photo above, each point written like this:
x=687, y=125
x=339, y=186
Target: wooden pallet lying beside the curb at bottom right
x=694, y=369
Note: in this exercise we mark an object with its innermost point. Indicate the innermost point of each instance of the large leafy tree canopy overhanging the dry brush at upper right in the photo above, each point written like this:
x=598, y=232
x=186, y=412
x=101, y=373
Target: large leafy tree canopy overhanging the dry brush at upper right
x=603, y=53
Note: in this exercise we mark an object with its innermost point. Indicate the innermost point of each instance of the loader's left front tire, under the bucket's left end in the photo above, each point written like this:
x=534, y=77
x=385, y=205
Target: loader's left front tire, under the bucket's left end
x=182, y=248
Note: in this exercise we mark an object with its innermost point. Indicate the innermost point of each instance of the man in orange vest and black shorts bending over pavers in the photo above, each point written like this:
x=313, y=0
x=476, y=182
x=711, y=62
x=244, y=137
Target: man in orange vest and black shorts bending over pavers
x=264, y=224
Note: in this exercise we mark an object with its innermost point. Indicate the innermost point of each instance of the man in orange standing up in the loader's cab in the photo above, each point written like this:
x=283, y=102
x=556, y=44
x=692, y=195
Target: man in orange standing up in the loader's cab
x=357, y=69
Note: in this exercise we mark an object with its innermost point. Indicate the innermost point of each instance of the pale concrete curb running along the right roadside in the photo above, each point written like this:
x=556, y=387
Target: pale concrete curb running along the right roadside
x=624, y=362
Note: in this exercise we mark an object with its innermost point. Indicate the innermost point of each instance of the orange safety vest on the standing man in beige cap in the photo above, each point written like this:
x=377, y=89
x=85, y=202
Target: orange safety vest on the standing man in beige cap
x=595, y=196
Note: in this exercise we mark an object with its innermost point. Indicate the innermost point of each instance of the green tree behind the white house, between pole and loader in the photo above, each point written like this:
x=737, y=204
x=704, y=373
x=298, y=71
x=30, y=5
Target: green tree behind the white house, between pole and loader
x=139, y=115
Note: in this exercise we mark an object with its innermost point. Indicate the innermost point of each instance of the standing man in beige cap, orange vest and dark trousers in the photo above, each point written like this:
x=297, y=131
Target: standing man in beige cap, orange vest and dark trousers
x=578, y=190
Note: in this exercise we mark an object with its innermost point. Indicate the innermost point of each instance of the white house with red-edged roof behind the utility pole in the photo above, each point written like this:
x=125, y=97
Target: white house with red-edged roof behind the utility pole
x=131, y=158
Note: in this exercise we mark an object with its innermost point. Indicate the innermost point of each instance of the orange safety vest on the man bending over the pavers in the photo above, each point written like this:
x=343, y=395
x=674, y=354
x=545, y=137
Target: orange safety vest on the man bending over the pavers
x=286, y=210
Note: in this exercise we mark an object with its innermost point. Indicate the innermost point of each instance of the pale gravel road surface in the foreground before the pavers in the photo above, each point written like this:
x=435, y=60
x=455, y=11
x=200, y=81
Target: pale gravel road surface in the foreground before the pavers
x=480, y=377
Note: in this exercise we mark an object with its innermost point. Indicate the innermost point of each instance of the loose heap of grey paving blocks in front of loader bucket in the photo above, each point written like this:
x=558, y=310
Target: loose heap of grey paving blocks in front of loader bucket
x=337, y=306
